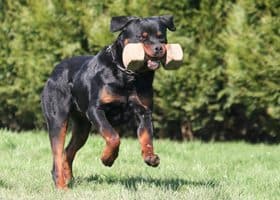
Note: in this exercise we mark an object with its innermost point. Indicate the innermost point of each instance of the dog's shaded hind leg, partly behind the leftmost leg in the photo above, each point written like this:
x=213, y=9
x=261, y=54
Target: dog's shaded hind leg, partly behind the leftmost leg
x=80, y=131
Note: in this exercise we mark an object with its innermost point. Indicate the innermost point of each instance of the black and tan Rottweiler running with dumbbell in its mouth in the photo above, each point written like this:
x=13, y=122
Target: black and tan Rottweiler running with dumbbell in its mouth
x=99, y=90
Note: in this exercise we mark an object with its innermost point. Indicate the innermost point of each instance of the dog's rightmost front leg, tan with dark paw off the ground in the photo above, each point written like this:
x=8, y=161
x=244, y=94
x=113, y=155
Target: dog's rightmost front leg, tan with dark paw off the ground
x=145, y=135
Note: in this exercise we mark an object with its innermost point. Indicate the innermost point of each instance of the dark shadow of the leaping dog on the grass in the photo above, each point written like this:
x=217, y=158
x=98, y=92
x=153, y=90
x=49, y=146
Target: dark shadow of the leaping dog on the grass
x=133, y=182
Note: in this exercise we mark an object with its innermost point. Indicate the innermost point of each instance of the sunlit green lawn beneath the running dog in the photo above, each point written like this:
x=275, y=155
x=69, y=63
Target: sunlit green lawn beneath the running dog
x=192, y=170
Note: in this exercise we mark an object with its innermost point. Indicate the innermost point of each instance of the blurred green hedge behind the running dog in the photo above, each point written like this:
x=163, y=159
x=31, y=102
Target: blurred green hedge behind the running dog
x=228, y=87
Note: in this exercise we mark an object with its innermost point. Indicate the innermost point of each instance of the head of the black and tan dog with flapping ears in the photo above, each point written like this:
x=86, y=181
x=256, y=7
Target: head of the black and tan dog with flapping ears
x=151, y=32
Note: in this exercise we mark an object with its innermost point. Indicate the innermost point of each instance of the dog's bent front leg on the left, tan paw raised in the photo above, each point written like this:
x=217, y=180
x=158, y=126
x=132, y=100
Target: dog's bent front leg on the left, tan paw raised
x=111, y=150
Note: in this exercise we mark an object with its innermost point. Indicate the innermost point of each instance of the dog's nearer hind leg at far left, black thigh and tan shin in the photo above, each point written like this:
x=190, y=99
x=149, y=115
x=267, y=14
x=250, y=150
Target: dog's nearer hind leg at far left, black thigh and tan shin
x=56, y=106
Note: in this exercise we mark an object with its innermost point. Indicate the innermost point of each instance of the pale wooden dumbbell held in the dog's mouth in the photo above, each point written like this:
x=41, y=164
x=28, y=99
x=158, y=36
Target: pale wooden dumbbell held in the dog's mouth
x=134, y=56
